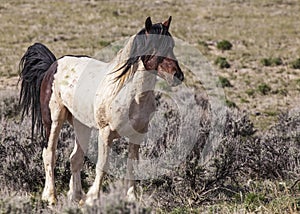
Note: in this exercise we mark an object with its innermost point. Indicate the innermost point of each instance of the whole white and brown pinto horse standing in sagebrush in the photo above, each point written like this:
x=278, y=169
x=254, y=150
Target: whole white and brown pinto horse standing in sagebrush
x=117, y=98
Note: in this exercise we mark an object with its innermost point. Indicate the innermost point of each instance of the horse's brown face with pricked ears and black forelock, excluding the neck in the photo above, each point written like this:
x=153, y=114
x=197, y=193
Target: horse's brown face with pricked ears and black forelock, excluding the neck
x=158, y=51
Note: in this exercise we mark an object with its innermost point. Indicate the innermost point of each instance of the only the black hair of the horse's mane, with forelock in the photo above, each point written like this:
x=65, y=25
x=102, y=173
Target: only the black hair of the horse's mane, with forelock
x=141, y=47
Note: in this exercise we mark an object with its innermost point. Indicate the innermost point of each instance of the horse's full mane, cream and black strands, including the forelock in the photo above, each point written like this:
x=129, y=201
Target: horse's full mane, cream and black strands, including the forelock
x=138, y=48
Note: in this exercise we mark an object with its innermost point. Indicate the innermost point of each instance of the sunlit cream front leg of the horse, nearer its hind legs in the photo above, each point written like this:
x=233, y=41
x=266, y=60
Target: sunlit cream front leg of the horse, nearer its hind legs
x=105, y=140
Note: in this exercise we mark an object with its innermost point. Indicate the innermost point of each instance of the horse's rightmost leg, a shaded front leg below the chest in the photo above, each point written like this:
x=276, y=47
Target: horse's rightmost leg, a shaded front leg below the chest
x=132, y=164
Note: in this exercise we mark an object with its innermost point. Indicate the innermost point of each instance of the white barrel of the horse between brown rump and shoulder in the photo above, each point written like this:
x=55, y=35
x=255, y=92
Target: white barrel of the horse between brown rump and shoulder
x=76, y=82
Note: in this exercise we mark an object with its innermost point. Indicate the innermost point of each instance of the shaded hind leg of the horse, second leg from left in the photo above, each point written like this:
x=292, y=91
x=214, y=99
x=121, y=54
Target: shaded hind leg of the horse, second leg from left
x=76, y=159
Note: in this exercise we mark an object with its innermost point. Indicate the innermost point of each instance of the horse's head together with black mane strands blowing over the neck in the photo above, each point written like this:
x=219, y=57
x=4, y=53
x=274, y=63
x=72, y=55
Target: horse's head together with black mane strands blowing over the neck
x=154, y=46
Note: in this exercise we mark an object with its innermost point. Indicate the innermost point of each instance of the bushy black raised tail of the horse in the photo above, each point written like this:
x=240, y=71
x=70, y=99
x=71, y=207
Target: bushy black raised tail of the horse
x=33, y=65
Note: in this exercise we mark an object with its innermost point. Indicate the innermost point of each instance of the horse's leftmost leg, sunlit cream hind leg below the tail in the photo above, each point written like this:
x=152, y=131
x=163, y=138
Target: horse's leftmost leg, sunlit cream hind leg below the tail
x=58, y=116
